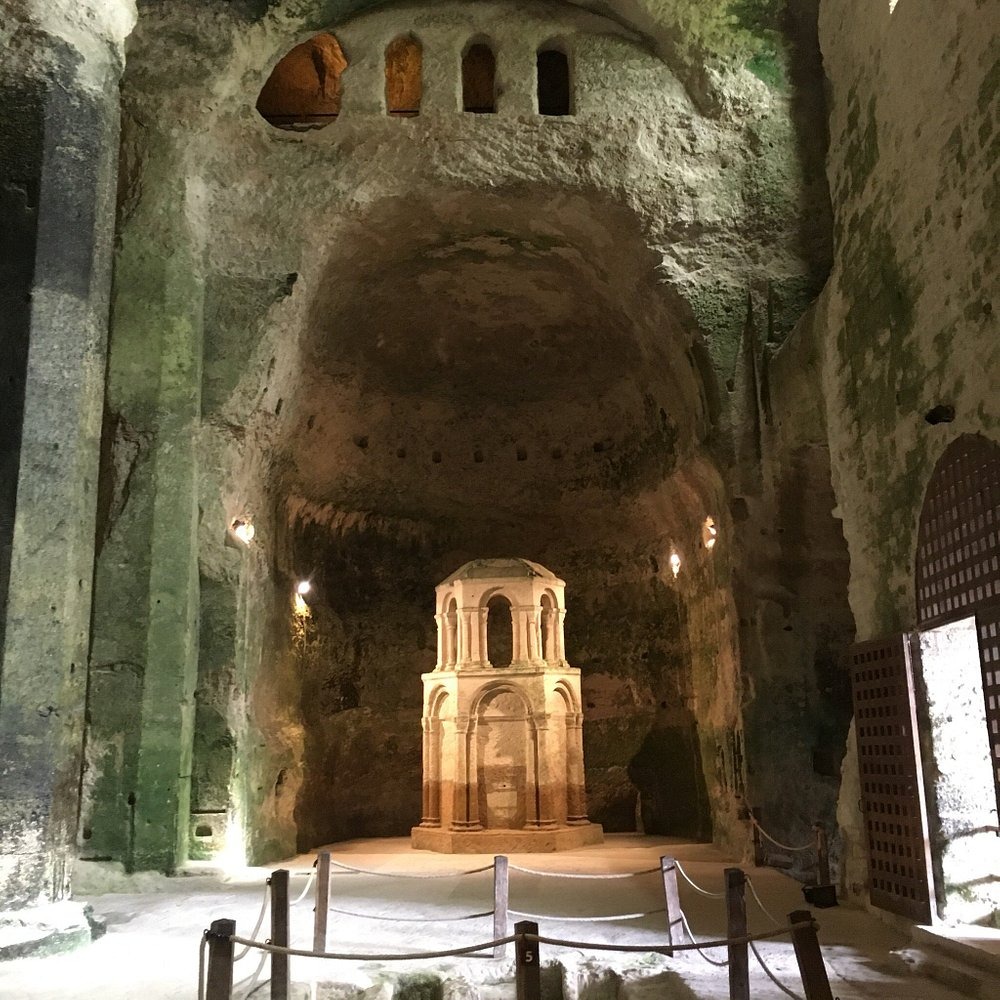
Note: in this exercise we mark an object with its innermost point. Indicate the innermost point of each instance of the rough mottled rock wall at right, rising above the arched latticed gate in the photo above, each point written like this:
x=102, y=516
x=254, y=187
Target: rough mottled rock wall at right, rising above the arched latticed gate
x=909, y=312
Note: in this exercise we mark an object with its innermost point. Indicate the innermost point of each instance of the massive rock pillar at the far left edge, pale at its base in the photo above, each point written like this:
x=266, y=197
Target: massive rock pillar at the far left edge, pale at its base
x=59, y=128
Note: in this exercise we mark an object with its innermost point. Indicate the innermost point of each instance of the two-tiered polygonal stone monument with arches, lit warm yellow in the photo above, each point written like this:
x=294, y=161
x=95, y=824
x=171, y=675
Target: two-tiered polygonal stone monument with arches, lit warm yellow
x=503, y=725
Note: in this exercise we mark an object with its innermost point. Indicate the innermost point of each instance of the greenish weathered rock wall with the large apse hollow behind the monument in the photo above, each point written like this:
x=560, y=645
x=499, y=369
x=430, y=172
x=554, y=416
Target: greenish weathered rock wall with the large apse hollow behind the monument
x=505, y=334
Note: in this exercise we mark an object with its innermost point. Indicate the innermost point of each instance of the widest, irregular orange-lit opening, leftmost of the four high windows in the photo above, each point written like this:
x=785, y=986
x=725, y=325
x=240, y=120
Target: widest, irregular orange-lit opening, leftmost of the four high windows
x=304, y=89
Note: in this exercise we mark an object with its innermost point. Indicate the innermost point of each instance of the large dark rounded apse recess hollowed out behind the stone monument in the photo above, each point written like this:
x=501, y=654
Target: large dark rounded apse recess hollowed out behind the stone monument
x=480, y=322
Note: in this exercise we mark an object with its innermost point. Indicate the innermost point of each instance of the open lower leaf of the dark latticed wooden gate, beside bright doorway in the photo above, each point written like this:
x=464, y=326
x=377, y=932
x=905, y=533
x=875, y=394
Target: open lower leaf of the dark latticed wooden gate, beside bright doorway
x=892, y=790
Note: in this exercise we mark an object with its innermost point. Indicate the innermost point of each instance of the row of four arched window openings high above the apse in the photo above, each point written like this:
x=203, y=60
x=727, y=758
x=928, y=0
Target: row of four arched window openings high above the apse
x=305, y=86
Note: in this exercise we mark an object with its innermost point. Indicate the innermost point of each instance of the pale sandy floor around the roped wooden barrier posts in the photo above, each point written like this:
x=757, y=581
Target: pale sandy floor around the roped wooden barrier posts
x=150, y=951
